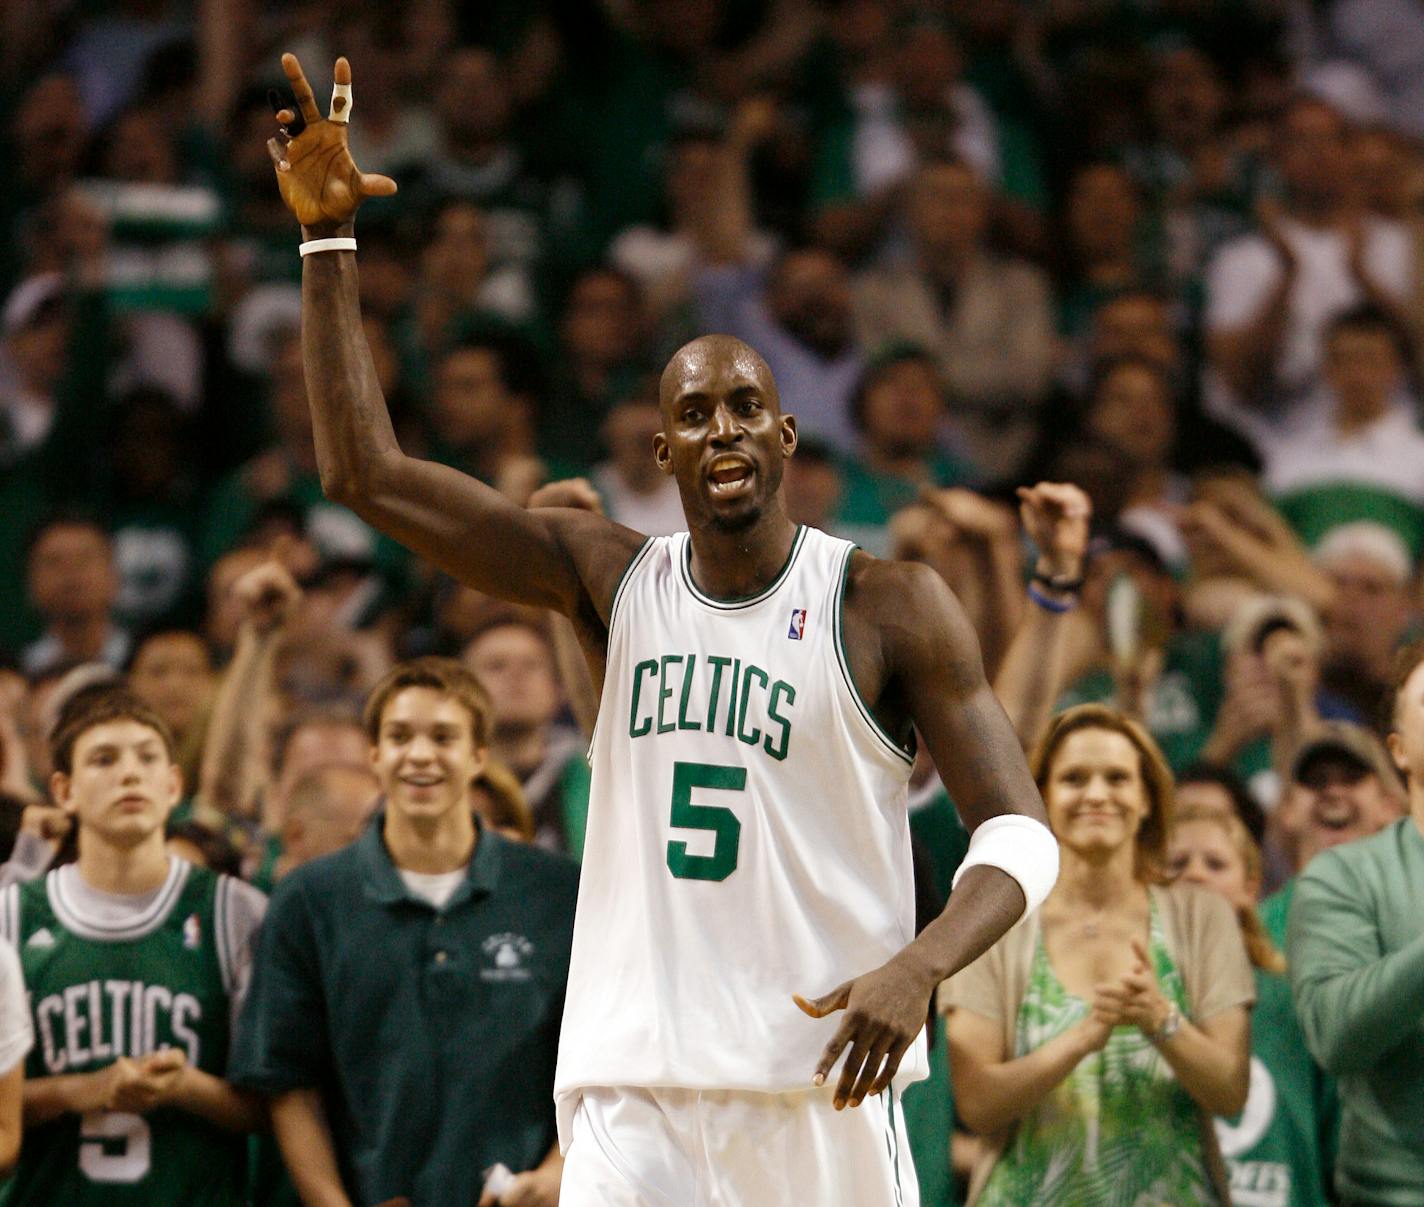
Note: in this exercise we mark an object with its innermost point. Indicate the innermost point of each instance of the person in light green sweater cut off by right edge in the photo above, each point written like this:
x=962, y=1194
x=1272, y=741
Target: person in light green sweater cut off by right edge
x=1356, y=954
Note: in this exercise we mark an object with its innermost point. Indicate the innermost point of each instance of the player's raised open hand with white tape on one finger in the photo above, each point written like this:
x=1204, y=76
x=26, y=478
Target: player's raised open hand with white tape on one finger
x=317, y=176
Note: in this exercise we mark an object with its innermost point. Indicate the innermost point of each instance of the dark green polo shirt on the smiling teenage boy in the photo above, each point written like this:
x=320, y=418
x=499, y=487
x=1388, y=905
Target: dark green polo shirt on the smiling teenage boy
x=432, y=1035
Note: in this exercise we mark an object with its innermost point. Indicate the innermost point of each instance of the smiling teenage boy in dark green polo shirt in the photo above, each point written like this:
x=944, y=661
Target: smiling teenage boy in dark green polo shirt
x=408, y=993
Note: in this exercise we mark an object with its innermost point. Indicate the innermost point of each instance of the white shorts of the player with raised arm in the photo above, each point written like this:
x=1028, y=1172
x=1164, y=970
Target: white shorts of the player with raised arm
x=669, y=1148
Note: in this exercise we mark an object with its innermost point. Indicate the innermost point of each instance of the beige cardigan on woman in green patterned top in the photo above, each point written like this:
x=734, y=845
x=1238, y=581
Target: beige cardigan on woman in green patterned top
x=1205, y=943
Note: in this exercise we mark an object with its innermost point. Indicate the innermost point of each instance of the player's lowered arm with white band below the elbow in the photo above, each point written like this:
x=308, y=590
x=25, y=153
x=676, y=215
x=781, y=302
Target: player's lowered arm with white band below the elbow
x=913, y=654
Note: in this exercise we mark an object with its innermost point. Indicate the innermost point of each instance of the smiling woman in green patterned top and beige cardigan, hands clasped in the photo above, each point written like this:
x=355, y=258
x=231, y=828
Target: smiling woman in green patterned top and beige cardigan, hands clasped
x=1094, y=1043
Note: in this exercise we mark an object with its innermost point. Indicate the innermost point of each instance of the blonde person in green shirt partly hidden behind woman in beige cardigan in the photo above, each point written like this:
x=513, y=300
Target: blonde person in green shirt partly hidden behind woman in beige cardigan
x=1278, y=1149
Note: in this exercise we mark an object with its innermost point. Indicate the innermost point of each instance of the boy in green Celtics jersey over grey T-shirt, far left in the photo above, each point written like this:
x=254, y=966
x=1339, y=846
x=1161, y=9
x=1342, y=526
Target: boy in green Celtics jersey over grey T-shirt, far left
x=133, y=960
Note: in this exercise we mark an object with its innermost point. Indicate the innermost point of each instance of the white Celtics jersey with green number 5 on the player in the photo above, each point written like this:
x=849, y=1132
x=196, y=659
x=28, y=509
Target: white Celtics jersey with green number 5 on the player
x=748, y=835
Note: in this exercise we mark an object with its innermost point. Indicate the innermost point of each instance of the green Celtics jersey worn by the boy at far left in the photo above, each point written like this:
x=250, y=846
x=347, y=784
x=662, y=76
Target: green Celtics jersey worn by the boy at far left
x=103, y=989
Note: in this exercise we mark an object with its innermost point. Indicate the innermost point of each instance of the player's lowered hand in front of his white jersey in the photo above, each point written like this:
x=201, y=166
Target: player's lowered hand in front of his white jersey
x=885, y=1014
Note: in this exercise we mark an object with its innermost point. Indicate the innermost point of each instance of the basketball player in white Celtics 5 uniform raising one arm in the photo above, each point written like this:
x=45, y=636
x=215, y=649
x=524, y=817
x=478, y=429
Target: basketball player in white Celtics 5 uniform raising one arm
x=748, y=839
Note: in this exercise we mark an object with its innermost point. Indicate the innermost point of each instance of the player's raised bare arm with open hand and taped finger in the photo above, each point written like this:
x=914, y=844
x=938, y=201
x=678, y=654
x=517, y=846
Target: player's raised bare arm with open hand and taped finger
x=556, y=559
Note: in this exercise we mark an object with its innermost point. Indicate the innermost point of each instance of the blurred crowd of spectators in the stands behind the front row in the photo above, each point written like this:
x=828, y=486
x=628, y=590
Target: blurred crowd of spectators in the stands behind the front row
x=1168, y=253
